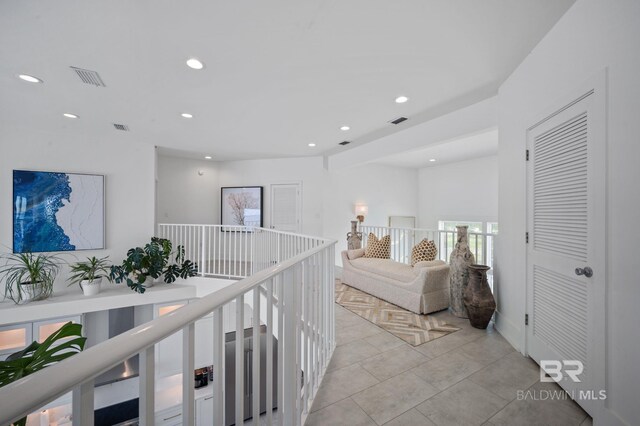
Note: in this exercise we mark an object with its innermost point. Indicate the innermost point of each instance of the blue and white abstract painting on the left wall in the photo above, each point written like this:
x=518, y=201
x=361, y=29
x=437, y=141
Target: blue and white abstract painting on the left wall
x=57, y=211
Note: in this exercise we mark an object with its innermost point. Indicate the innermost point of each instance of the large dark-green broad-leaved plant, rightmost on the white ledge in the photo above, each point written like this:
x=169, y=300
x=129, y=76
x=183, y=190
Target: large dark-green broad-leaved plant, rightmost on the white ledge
x=156, y=259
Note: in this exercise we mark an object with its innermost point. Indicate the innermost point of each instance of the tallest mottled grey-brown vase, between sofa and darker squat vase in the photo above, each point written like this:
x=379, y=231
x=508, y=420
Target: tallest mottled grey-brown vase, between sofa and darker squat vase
x=461, y=258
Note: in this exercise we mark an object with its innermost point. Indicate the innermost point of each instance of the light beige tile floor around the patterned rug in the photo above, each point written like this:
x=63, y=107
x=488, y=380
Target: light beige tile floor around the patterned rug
x=470, y=377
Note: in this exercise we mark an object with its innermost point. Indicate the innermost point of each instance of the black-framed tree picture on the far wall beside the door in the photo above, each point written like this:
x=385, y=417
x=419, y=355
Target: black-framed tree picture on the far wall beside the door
x=241, y=206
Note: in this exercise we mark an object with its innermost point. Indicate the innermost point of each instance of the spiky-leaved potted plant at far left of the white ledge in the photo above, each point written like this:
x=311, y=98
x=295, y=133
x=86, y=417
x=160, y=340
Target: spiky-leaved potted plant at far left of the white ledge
x=28, y=276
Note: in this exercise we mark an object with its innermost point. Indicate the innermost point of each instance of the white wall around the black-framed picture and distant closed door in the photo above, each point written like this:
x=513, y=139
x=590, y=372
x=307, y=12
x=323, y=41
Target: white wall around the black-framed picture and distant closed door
x=308, y=170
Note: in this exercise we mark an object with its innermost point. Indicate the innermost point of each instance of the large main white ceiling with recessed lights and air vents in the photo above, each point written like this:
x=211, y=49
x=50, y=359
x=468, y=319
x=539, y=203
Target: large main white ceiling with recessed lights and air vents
x=279, y=74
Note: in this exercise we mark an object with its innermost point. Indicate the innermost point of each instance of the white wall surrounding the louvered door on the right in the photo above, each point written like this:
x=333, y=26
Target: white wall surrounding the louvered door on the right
x=592, y=35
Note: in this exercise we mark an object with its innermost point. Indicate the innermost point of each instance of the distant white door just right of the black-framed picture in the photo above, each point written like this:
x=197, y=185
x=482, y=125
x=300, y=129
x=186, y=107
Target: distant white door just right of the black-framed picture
x=286, y=207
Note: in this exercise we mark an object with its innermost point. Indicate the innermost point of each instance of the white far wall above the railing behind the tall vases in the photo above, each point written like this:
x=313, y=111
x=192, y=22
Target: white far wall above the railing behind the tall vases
x=465, y=191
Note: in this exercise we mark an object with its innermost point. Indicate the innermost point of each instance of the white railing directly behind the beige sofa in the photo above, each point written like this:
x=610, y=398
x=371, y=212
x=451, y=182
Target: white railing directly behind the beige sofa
x=482, y=245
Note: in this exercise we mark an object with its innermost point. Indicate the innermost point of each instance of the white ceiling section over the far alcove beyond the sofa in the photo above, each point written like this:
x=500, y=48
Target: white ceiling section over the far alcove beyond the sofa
x=464, y=148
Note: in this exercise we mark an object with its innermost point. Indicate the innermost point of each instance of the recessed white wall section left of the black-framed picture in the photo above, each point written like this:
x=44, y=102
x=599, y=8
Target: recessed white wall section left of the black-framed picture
x=184, y=195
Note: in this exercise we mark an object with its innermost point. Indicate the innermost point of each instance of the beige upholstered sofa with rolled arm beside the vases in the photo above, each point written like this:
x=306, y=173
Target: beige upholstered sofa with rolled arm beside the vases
x=422, y=288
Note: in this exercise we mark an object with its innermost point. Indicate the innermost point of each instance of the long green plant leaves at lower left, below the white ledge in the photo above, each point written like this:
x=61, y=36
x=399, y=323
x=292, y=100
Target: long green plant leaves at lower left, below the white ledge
x=37, y=356
